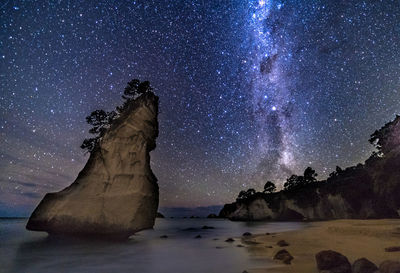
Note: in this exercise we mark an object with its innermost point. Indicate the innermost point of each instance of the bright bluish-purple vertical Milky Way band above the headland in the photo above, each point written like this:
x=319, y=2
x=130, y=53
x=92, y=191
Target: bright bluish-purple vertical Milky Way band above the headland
x=271, y=87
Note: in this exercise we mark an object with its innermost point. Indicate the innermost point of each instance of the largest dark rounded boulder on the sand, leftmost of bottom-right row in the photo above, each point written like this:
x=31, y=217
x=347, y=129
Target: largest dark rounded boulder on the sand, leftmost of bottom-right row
x=332, y=261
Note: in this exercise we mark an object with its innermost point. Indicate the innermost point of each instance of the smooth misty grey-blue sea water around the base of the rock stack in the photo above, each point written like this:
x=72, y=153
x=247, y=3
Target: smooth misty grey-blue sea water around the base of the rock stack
x=145, y=252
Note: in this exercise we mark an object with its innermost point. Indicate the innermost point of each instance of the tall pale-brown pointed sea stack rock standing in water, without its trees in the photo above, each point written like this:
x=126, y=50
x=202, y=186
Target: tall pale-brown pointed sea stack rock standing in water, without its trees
x=116, y=193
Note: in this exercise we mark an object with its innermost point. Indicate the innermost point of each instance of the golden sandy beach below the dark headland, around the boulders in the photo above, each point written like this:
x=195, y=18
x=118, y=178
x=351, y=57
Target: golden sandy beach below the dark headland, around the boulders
x=353, y=238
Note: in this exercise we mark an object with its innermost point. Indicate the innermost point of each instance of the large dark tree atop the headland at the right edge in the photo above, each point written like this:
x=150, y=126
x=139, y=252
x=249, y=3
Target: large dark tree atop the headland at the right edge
x=387, y=138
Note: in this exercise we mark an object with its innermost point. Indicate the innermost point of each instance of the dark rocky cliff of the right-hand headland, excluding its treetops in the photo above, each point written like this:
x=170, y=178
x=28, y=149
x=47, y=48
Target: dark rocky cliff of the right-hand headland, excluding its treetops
x=363, y=191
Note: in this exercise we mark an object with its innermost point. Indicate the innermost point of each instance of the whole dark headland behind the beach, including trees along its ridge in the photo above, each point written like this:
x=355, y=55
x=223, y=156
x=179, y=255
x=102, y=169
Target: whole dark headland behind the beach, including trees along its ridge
x=364, y=191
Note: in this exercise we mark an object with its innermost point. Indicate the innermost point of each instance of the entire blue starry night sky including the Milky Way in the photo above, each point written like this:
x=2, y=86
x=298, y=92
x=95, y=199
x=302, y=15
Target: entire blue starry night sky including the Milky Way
x=249, y=90
